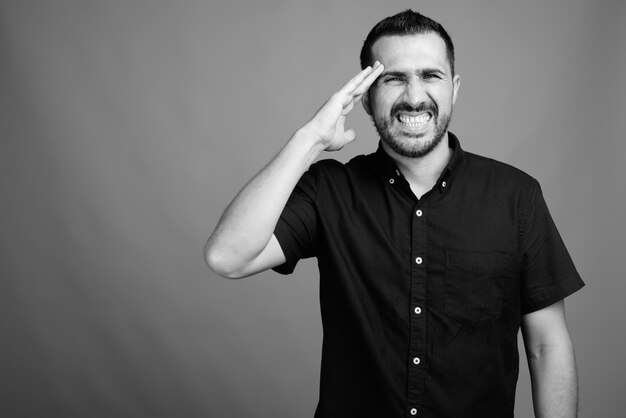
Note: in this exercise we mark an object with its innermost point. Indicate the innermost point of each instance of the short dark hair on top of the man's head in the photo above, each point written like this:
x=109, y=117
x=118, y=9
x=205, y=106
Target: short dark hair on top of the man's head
x=405, y=23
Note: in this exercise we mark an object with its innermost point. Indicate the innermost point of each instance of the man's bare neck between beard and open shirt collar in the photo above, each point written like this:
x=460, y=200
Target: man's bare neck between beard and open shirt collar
x=422, y=172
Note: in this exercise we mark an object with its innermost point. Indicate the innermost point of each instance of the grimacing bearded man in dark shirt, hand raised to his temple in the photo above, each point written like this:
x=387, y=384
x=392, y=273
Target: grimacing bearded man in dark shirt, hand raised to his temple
x=430, y=257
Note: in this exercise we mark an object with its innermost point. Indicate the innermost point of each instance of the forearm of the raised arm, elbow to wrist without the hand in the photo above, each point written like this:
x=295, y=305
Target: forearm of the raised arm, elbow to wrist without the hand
x=248, y=223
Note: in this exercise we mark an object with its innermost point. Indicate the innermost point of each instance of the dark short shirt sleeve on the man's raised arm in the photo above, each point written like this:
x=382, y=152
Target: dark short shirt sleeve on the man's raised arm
x=296, y=230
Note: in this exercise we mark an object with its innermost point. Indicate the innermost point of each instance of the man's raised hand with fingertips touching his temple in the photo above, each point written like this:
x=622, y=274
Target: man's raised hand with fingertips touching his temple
x=328, y=123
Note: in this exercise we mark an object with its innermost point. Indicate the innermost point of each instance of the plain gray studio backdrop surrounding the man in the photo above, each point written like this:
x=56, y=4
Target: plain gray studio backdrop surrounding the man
x=127, y=126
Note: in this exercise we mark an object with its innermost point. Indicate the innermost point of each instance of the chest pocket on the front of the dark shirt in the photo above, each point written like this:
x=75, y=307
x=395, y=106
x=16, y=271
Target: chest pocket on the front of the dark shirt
x=474, y=285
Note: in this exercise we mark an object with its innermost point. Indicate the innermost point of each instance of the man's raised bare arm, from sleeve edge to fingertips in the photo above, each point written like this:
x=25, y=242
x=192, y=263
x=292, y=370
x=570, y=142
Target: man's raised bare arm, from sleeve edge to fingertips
x=239, y=244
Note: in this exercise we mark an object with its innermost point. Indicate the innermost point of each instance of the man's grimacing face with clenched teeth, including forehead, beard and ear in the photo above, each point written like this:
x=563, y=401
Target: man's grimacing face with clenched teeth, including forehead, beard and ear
x=411, y=102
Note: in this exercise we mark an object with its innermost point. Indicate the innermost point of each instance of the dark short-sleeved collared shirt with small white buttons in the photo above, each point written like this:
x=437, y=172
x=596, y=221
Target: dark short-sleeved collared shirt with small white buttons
x=421, y=299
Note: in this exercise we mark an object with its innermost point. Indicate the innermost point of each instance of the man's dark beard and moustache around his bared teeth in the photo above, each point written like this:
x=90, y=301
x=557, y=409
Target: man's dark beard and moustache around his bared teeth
x=412, y=145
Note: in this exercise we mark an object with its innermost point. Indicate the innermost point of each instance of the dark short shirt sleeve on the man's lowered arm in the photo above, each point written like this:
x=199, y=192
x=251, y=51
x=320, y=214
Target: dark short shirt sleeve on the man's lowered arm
x=548, y=273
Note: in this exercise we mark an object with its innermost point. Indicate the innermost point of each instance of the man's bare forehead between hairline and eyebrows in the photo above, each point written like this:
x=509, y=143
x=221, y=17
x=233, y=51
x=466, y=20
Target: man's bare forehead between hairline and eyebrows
x=409, y=52
